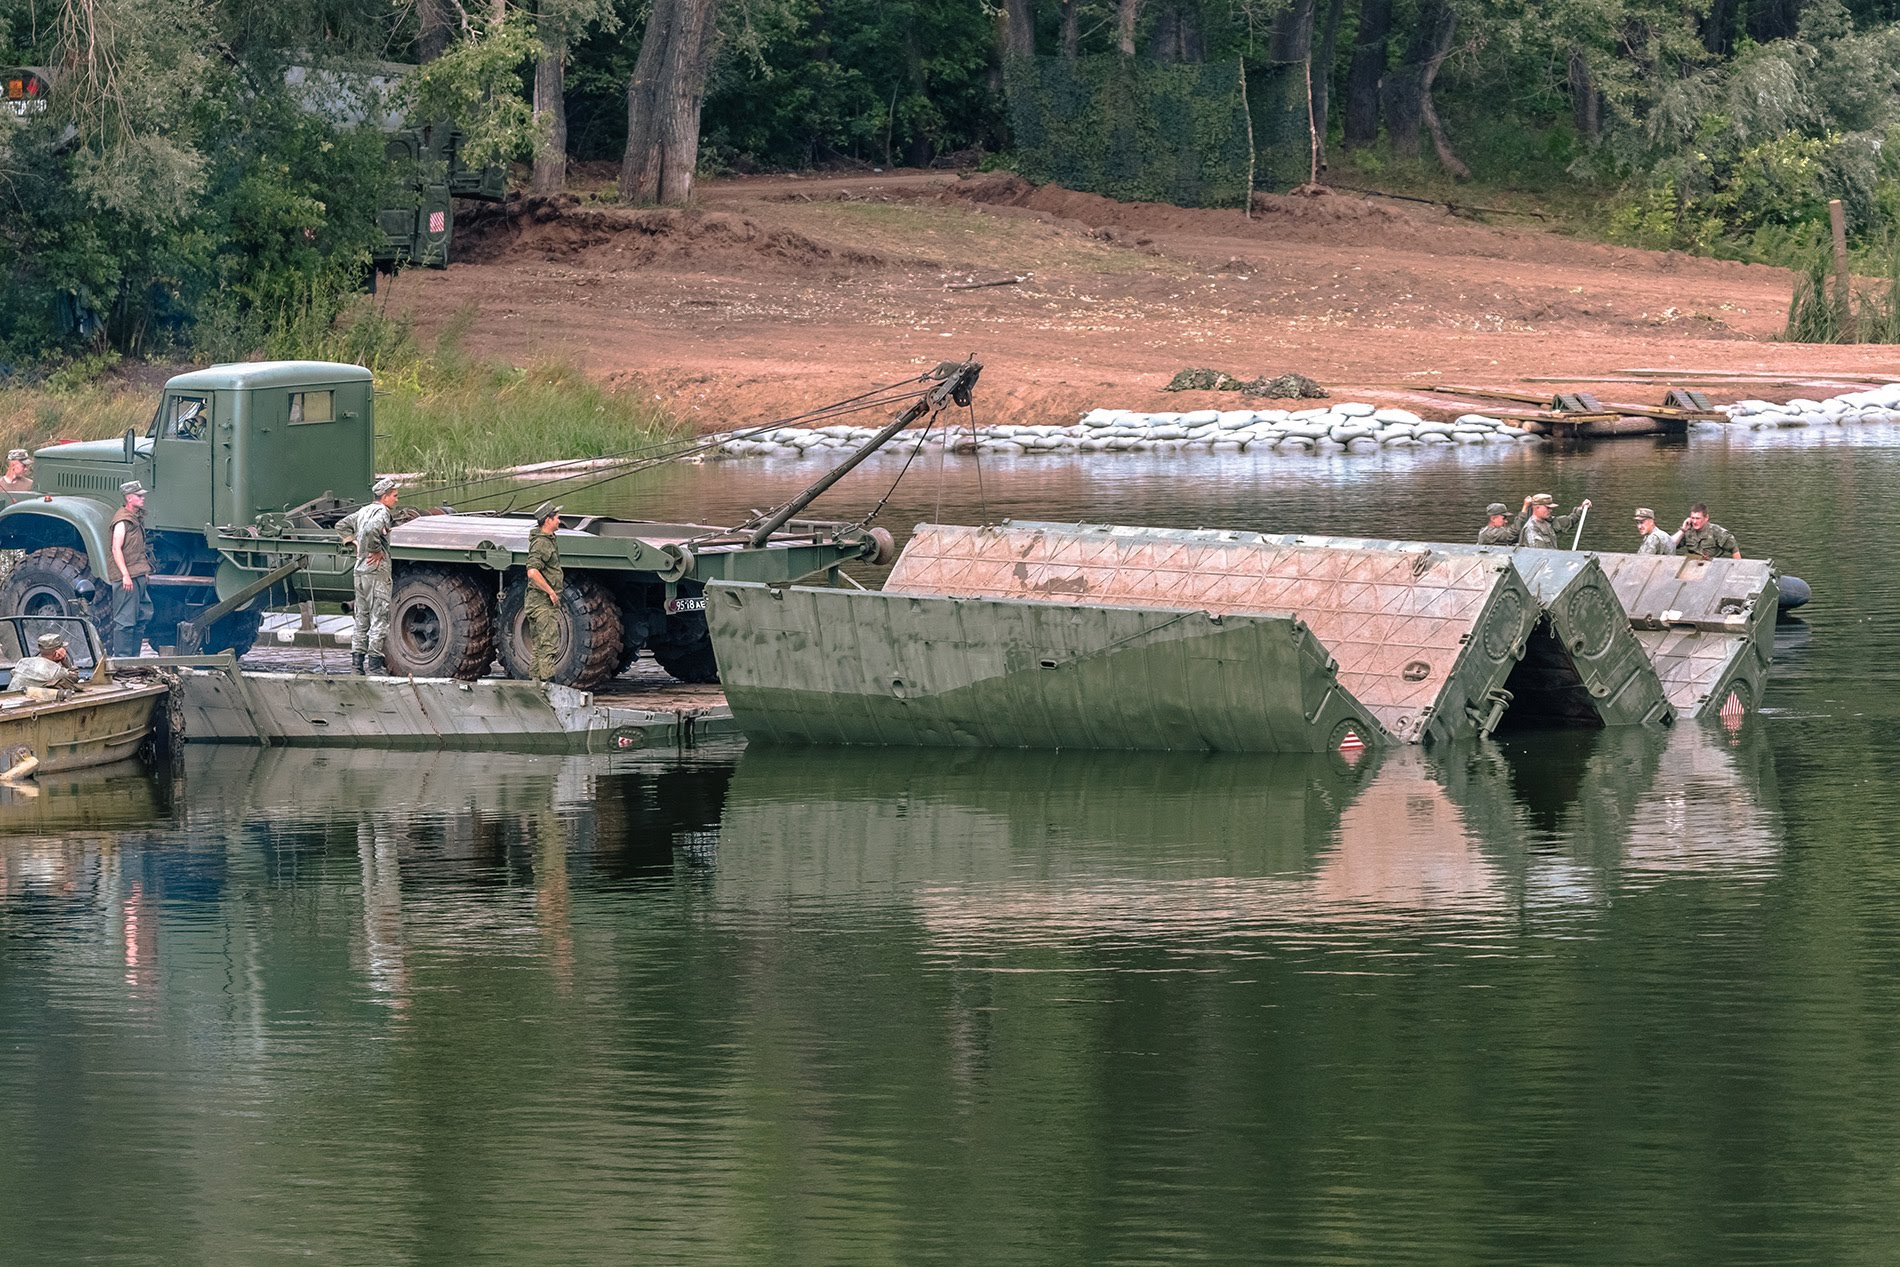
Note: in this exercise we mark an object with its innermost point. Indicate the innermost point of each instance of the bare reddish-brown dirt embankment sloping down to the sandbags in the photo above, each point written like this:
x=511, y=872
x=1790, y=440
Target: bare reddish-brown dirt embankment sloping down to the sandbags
x=782, y=293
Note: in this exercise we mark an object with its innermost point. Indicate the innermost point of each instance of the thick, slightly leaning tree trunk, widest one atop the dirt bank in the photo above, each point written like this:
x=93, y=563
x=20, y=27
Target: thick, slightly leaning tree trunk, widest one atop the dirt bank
x=664, y=98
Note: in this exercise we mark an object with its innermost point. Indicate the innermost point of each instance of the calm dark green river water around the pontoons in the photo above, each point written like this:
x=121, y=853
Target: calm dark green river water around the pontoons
x=1555, y=1000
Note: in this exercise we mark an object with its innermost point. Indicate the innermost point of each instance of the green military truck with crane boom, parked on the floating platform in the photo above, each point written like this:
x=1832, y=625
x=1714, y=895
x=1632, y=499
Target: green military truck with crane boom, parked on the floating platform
x=250, y=468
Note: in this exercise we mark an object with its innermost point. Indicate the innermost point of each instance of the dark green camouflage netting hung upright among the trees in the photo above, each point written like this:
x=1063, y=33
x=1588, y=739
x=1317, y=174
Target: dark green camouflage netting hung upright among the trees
x=1160, y=132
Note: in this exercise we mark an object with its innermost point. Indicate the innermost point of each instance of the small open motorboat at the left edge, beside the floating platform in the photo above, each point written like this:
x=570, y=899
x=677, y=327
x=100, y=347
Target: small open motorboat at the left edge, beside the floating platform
x=102, y=723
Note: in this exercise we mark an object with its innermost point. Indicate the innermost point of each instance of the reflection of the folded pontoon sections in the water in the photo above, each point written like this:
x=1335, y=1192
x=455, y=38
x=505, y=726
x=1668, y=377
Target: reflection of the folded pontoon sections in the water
x=1046, y=848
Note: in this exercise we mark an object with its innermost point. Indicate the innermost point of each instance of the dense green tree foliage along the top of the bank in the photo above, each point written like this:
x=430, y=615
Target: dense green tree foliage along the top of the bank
x=180, y=195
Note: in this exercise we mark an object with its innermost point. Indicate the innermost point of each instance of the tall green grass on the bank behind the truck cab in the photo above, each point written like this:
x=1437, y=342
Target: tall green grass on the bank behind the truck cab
x=440, y=413
